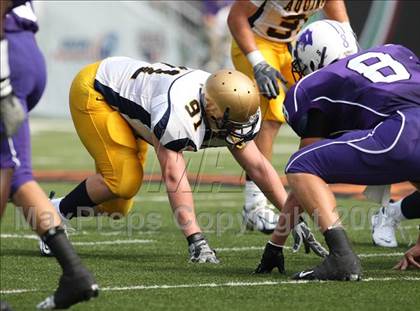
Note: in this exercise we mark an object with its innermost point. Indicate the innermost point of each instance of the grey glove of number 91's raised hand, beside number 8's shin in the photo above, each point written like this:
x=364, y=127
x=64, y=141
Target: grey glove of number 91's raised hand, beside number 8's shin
x=303, y=235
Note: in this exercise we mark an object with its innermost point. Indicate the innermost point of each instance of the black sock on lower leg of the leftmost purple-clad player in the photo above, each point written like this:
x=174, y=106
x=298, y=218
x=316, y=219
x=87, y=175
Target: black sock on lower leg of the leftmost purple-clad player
x=60, y=246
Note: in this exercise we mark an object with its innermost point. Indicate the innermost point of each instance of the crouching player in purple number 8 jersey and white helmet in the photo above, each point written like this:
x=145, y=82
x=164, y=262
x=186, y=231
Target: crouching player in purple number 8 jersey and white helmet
x=359, y=123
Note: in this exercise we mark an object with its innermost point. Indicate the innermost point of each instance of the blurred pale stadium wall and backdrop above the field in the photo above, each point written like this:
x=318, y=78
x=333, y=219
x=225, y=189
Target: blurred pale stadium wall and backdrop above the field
x=73, y=34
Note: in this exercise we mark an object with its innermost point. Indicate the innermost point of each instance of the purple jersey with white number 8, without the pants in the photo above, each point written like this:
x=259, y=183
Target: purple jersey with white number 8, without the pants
x=359, y=91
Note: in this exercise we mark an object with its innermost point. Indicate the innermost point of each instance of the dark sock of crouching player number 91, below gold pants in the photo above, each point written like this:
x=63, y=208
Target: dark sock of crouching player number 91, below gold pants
x=78, y=197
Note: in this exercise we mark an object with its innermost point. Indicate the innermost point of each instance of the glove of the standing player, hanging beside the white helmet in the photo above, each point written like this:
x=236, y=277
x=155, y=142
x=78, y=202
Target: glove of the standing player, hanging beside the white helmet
x=266, y=77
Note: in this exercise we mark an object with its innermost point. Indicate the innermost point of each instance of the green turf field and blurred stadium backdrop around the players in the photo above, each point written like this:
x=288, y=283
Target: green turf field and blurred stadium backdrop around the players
x=141, y=264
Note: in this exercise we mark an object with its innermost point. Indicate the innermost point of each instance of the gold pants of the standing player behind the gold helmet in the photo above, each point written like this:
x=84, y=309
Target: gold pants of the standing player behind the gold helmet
x=278, y=56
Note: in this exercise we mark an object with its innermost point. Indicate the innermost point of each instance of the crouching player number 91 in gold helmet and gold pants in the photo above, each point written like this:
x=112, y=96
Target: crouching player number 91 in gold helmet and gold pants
x=120, y=105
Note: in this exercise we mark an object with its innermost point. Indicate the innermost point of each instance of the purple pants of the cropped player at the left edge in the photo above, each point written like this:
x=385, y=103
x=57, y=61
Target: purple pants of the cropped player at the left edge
x=28, y=78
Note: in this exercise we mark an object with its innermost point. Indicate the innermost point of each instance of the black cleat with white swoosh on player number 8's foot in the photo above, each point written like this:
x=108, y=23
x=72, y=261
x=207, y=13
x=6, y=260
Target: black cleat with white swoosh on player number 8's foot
x=334, y=268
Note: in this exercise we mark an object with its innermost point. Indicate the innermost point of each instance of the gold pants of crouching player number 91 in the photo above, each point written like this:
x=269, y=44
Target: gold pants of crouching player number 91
x=119, y=158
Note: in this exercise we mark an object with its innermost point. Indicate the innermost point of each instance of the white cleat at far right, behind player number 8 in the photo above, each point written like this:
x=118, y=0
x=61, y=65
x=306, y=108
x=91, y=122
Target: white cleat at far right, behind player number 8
x=383, y=229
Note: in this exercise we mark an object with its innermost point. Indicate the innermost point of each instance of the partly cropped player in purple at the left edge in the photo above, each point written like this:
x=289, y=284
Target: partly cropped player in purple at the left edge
x=21, y=88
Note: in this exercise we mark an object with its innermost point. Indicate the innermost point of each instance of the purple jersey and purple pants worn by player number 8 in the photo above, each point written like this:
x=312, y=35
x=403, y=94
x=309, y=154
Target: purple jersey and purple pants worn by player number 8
x=371, y=101
